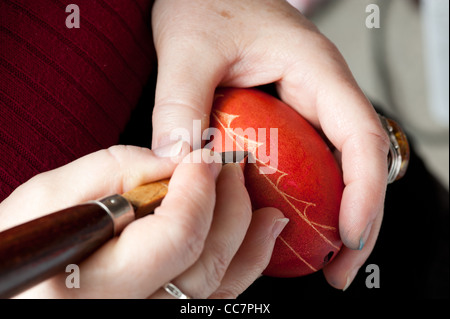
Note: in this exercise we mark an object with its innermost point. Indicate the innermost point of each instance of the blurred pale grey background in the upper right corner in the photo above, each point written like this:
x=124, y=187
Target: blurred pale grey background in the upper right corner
x=402, y=66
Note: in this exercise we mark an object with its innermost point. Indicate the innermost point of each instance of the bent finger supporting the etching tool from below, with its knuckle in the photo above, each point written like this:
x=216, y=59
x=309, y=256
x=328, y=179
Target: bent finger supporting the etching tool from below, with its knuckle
x=156, y=248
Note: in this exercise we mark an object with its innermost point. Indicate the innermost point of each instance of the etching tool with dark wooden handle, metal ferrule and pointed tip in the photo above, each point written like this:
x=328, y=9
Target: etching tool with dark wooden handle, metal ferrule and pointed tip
x=41, y=248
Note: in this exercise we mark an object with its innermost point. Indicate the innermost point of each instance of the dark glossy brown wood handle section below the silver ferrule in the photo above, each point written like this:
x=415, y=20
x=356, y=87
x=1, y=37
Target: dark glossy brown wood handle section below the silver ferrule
x=39, y=249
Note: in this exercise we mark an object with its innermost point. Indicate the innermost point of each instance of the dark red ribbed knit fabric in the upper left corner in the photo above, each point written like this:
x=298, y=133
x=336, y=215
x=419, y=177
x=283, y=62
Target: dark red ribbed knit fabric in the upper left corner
x=67, y=92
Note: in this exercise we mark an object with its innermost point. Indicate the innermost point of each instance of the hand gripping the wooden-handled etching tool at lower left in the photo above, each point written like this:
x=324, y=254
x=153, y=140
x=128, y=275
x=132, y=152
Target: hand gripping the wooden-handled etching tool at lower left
x=203, y=237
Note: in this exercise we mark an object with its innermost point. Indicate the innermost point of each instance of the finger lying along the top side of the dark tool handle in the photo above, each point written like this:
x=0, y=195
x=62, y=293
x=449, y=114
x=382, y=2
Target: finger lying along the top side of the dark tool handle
x=106, y=172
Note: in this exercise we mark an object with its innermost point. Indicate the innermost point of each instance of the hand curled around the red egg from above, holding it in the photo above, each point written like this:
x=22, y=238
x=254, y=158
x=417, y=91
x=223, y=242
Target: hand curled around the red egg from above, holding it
x=243, y=43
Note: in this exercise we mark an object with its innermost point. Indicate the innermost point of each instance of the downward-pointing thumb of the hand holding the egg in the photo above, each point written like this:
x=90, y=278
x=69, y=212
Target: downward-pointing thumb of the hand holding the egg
x=184, y=90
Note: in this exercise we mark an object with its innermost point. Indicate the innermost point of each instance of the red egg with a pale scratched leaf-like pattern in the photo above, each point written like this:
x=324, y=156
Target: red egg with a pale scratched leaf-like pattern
x=291, y=168
